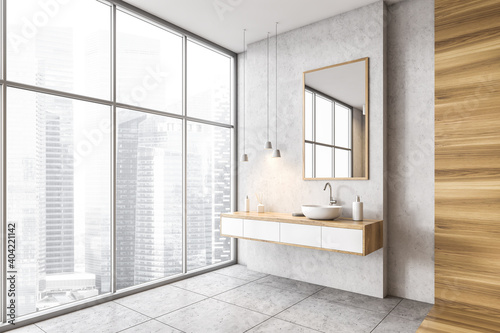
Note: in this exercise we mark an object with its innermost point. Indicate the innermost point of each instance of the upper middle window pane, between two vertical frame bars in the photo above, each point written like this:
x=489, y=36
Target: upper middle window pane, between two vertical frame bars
x=149, y=65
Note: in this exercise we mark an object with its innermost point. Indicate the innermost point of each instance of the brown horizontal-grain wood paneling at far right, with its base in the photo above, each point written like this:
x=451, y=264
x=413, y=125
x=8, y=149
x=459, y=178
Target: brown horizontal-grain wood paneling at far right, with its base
x=467, y=130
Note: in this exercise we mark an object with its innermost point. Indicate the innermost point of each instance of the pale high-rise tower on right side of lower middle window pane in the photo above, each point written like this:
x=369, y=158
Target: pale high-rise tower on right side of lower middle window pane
x=158, y=246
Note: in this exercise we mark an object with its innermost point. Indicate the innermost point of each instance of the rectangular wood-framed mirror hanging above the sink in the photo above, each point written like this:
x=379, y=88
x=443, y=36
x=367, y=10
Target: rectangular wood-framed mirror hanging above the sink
x=335, y=122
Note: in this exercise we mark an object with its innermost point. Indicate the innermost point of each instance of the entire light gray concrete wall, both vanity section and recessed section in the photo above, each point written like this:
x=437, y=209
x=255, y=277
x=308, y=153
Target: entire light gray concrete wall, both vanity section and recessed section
x=409, y=219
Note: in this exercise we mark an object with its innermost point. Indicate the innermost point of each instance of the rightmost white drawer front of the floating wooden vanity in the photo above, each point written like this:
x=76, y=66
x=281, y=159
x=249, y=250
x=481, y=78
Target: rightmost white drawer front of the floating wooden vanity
x=350, y=240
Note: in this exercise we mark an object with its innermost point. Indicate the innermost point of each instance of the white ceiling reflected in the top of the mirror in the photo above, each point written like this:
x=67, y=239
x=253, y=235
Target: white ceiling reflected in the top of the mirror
x=345, y=83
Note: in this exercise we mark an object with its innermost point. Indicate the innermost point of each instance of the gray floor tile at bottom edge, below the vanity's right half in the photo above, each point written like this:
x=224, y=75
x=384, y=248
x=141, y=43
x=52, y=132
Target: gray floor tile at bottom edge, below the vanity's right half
x=327, y=316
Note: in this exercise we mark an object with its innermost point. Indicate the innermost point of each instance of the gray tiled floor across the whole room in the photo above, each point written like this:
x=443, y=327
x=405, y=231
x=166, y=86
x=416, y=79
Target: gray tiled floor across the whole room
x=235, y=299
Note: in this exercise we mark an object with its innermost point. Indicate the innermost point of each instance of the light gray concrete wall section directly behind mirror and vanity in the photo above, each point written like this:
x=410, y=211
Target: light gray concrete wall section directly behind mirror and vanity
x=353, y=35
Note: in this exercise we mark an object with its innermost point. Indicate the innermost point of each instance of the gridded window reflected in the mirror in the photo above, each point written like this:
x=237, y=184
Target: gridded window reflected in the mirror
x=328, y=136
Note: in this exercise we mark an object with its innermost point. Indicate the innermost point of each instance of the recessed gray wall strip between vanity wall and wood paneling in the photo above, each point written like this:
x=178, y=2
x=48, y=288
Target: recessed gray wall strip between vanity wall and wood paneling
x=411, y=149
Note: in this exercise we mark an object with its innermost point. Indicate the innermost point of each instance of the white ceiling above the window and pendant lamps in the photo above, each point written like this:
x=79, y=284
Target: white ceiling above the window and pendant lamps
x=223, y=21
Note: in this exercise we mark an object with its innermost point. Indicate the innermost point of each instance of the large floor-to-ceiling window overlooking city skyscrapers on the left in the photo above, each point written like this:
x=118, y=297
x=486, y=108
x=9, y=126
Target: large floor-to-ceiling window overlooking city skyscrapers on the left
x=118, y=152
